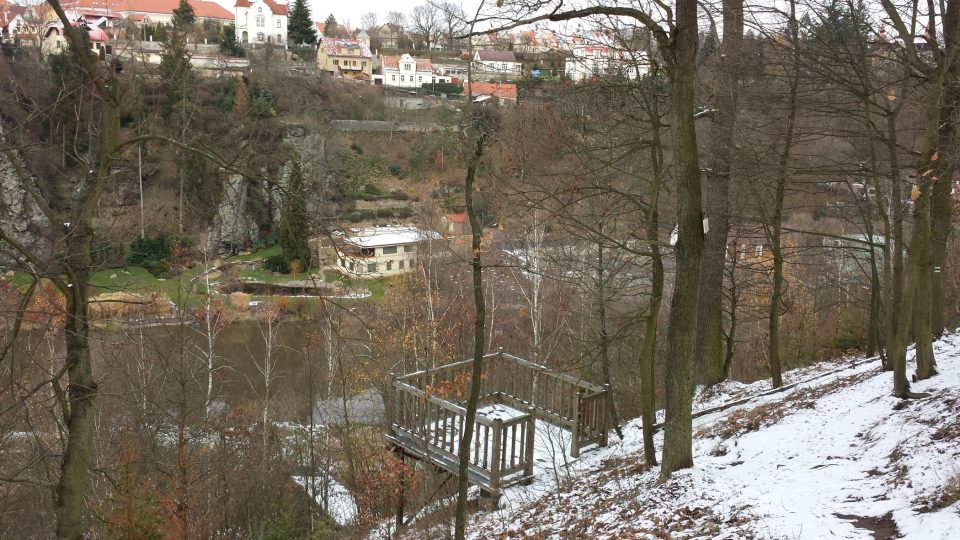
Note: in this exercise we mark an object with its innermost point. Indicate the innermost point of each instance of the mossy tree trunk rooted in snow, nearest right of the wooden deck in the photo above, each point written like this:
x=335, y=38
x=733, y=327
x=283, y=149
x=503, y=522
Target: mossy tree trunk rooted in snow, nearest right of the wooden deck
x=678, y=430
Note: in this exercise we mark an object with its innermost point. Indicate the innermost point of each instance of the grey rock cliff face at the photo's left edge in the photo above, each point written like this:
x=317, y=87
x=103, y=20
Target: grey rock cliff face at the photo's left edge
x=20, y=217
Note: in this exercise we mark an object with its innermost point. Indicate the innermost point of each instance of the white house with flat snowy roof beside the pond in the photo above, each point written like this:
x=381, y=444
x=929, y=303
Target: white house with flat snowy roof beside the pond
x=381, y=251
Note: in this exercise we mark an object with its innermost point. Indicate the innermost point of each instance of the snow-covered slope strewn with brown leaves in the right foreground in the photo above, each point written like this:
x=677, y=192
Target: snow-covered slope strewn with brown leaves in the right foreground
x=835, y=457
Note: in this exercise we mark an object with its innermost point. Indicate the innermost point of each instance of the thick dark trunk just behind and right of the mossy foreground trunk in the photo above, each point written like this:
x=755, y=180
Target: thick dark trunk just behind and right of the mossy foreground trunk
x=708, y=347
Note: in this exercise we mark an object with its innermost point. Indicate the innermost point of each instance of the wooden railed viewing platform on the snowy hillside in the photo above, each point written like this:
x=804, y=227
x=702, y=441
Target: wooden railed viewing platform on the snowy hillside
x=514, y=393
